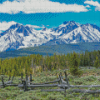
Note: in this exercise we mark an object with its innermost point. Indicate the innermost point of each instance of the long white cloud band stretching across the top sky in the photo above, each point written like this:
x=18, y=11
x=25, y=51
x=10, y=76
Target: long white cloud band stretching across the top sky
x=39, y=6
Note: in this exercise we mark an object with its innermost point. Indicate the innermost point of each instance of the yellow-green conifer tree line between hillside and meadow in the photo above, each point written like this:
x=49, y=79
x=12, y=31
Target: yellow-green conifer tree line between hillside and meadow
x=38, y=63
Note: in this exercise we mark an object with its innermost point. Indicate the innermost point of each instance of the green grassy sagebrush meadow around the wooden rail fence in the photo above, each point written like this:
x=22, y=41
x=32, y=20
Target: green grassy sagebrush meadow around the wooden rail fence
x=89, y=77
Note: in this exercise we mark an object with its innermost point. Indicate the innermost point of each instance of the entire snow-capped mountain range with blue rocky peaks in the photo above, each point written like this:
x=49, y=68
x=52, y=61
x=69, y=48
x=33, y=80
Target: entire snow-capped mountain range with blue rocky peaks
x=21, y=36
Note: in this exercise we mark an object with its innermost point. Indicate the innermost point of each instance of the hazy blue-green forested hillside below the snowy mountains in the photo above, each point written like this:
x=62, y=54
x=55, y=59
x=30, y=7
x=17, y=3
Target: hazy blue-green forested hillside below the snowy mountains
x=50, y=50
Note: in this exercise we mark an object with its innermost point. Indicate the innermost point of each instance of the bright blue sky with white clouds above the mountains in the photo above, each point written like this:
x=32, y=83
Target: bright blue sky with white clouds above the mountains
x=49, y=12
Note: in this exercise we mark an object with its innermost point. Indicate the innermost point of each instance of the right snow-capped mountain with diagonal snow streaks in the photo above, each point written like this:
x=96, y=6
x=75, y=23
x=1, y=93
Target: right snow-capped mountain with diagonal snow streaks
x=71, y=32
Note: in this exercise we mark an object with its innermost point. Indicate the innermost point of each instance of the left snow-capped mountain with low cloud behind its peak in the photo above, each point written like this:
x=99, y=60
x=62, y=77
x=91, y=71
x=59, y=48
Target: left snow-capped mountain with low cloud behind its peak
x=20, y=36
